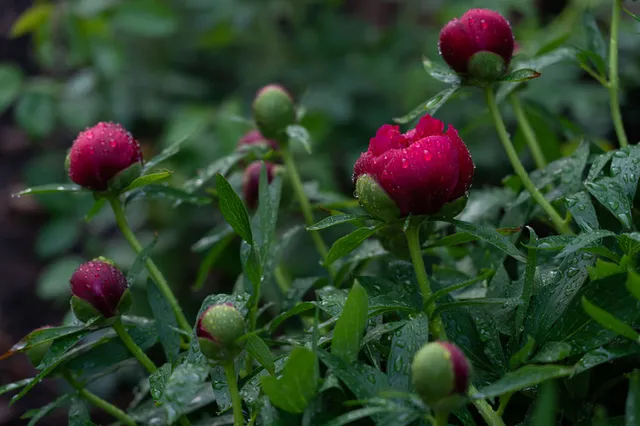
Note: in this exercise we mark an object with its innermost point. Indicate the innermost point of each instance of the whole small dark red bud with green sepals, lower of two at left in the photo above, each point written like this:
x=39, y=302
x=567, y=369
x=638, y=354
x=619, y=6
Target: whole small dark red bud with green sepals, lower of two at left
x=98, y=288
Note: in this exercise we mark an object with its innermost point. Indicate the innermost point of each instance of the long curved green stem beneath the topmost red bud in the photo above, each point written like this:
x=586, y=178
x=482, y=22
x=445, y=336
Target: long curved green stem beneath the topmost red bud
x=557, y=221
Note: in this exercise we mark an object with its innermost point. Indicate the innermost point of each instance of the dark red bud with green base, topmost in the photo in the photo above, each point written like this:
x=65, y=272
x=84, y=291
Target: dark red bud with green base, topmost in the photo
x=478, y=31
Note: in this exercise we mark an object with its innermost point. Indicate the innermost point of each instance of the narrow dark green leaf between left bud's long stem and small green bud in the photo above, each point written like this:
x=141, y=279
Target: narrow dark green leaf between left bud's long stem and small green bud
x=166, y=322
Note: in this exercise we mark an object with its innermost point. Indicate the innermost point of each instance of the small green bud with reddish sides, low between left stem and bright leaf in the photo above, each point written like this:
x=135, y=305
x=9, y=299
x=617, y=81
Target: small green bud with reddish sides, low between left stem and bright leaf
x=218, y=330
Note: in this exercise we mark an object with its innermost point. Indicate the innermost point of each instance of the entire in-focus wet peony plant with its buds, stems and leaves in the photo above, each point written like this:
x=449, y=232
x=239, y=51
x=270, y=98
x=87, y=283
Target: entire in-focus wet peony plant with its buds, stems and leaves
x=426, y=309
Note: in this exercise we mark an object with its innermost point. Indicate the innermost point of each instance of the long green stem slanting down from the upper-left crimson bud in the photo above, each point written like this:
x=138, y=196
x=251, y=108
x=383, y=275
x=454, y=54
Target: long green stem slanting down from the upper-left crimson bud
x=155, y=273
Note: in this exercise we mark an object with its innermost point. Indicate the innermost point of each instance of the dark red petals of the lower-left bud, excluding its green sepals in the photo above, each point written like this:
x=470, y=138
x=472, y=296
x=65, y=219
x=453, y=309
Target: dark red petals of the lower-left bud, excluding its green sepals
x=101, y=285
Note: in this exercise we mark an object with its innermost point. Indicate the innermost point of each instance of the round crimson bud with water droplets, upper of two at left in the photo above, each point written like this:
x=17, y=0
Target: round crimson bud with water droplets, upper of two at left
x=101, y=152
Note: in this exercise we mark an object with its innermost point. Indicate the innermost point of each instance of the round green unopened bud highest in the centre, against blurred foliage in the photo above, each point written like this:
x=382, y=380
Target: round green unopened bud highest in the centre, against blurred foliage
x=273, y=111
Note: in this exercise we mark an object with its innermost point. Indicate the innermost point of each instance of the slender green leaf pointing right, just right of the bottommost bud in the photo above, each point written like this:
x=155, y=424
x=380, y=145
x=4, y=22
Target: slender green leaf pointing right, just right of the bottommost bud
x=527, y=376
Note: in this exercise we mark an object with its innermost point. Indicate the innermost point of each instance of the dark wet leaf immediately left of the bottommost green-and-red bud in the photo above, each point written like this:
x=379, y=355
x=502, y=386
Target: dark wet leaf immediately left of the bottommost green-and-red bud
x=405, y=344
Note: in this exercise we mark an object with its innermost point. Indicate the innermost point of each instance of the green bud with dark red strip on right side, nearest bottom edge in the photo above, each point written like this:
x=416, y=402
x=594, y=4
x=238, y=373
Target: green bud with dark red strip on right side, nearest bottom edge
x=440, y=370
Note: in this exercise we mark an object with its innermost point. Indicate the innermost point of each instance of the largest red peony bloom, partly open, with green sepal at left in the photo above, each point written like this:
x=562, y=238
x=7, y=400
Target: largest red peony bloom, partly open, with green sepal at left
x=417, y=172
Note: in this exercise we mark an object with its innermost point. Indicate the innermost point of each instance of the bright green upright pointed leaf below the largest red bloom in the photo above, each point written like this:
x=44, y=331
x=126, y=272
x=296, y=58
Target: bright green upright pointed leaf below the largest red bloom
x=349, y=329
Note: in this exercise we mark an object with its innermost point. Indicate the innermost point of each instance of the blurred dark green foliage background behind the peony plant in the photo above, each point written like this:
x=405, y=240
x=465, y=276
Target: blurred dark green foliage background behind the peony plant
x=167, y=69
